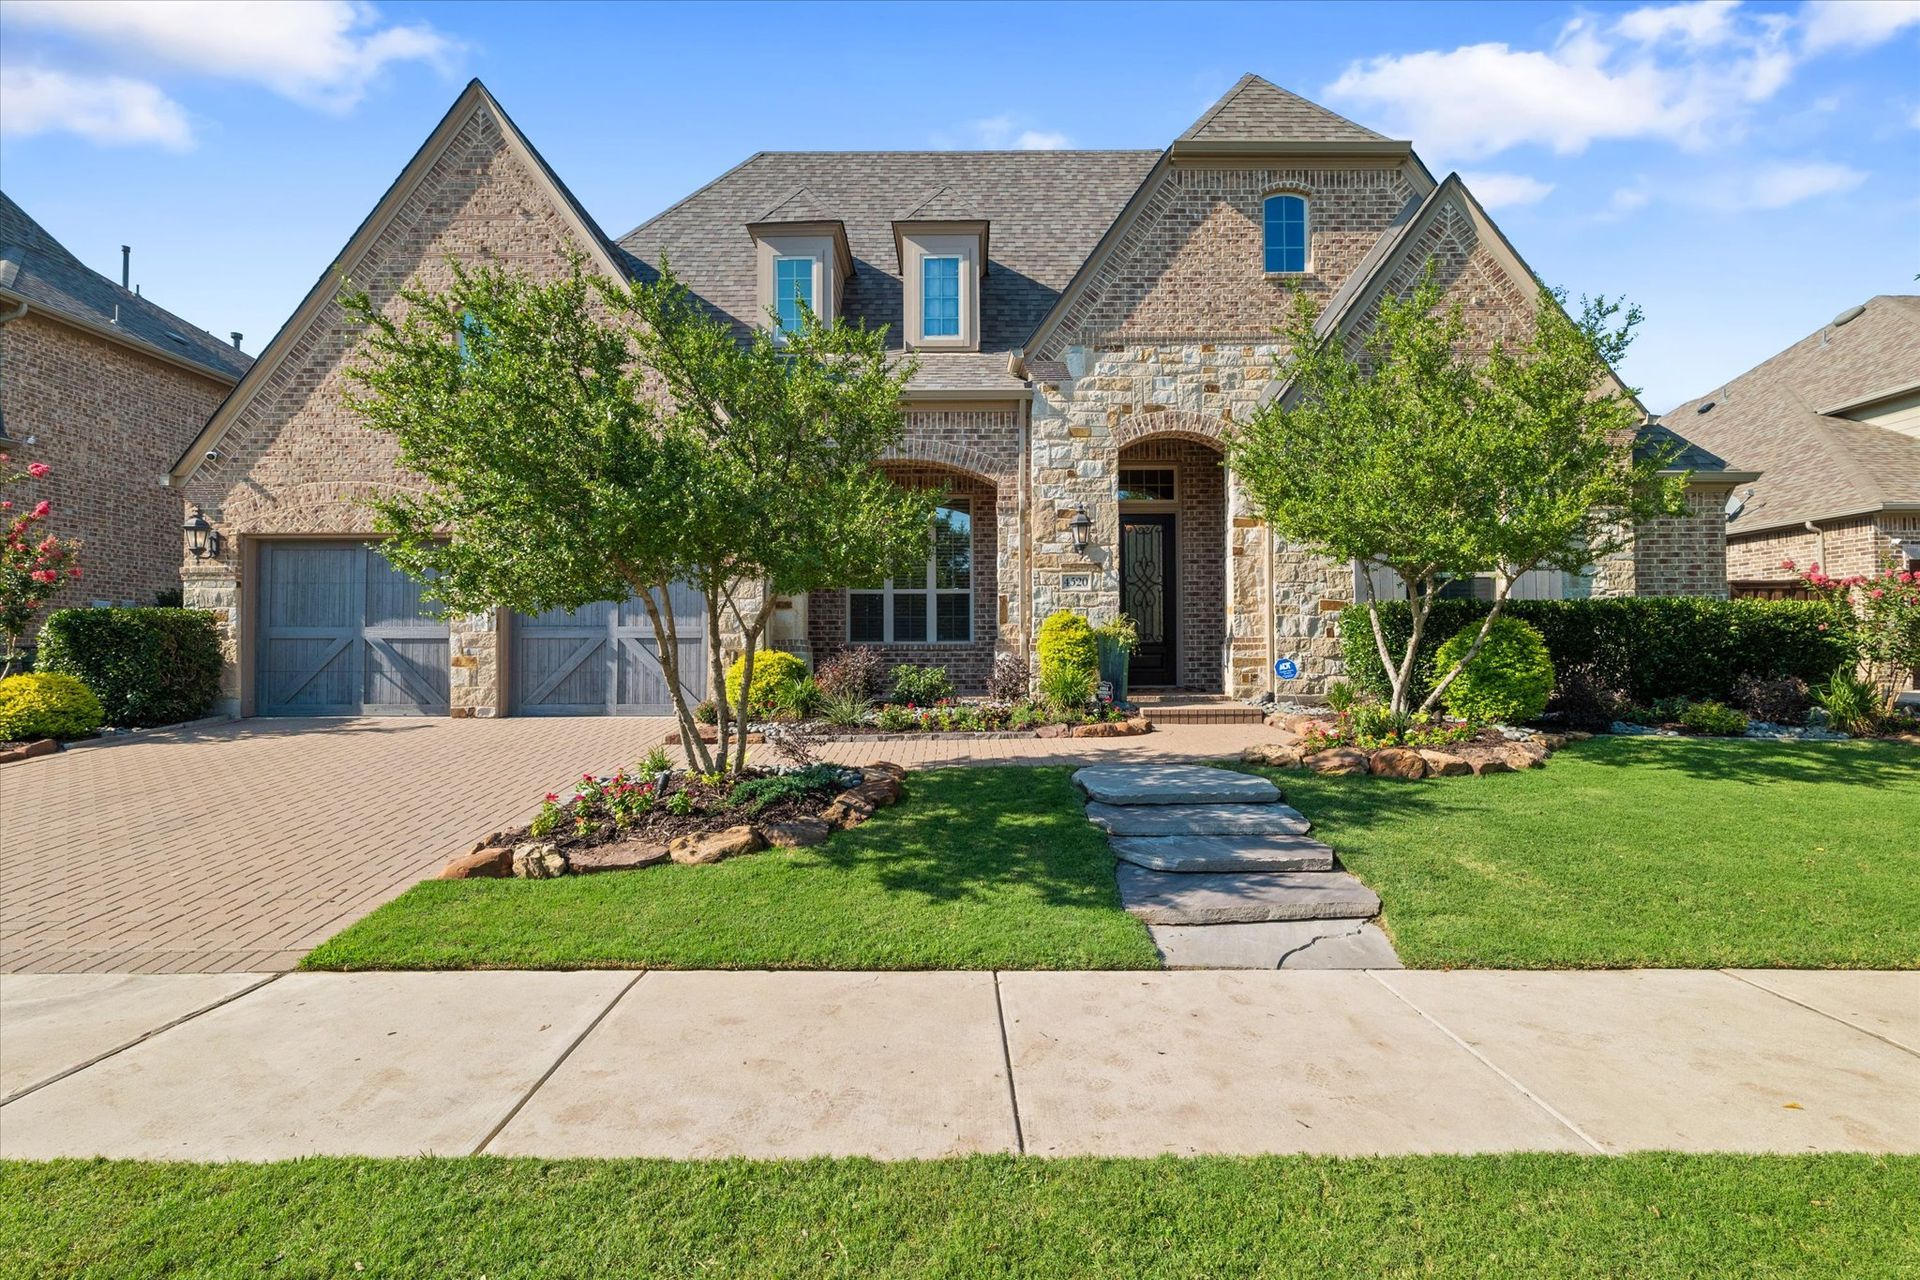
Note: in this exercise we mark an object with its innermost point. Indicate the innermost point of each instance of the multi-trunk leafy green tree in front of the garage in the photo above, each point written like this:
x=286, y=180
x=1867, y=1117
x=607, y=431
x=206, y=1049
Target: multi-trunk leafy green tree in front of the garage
x=588, y=440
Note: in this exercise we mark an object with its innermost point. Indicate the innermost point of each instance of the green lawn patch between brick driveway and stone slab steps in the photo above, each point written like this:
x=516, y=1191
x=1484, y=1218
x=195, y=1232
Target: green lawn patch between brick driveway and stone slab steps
x=976, y=870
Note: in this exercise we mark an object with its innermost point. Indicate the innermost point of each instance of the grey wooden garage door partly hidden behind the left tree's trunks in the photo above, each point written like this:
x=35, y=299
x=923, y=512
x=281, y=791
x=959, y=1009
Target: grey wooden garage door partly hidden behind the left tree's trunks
x=604, y=661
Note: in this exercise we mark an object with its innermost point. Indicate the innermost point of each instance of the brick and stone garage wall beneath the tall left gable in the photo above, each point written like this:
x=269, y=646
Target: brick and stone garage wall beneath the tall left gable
x=299, y=463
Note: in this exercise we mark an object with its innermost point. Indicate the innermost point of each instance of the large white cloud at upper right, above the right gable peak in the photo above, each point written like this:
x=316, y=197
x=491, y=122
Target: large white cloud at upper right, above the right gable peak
x=1681, y=74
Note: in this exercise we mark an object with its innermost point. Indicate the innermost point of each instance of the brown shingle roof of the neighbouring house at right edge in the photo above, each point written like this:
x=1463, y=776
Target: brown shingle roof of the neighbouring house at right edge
x=1819, y=465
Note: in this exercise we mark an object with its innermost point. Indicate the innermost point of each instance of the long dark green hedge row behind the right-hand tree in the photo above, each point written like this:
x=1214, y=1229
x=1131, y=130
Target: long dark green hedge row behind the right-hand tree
x=1646, y=648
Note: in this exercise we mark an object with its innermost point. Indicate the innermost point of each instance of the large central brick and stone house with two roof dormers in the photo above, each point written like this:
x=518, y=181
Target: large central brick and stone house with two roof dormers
x=1088, y=325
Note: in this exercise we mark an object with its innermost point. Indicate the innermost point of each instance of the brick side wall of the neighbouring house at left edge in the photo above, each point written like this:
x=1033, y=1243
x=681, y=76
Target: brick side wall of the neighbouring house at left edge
x=110, y=423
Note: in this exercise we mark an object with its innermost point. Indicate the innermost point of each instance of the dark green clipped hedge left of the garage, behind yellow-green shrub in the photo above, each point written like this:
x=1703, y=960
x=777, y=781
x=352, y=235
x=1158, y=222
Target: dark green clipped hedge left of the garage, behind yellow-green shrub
x=149, y=667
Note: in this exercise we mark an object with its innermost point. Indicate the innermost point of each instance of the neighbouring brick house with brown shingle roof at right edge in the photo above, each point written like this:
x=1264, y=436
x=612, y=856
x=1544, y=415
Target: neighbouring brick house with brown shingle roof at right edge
x=1835, y=427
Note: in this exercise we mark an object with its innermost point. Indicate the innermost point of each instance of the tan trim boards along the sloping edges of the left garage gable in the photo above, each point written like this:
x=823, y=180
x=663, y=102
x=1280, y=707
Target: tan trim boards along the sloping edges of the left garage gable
x=600, y=250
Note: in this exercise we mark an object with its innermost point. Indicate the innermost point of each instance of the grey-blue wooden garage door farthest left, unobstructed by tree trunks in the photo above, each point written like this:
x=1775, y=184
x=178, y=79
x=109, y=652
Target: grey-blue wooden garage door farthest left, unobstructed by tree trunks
x=345, y=634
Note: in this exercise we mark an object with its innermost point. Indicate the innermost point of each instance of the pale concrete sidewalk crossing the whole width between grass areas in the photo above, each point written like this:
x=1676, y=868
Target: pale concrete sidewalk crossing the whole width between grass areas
x=942, y=1064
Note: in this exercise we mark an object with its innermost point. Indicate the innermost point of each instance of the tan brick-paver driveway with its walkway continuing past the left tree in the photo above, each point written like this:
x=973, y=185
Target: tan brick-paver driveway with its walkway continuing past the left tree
x=241, y=847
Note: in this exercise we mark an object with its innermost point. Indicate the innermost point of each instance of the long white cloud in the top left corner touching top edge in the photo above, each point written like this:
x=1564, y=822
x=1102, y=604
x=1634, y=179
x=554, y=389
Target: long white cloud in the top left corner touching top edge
x=322, y=53
